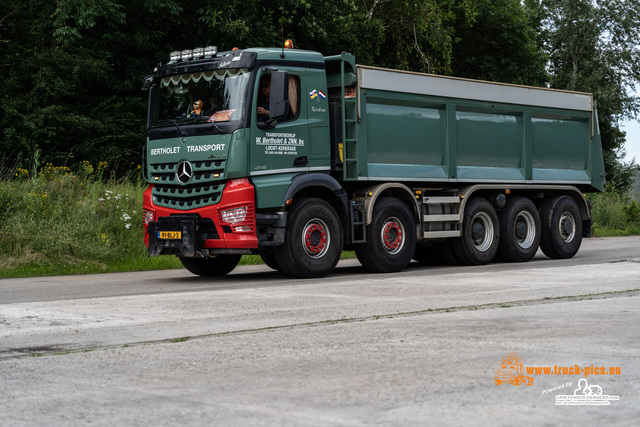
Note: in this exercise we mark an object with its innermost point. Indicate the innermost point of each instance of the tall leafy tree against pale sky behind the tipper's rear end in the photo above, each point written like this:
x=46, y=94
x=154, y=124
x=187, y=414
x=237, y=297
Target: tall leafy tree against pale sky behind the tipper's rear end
x=593, y=47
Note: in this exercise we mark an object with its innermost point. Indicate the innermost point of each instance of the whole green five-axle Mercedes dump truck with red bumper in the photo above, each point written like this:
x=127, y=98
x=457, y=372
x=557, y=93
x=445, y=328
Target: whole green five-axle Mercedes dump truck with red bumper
x=296, y=157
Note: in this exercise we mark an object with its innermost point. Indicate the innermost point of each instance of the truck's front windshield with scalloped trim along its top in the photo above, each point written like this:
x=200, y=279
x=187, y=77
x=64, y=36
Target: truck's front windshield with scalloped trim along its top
x=209, y=96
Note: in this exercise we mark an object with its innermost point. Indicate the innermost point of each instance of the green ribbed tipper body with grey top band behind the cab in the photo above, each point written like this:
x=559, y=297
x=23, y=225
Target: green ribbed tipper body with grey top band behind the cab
x=415, y=127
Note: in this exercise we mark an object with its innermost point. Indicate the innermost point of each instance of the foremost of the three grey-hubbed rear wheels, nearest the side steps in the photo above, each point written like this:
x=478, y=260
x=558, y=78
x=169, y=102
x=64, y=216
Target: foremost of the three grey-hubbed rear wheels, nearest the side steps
x=480, y=235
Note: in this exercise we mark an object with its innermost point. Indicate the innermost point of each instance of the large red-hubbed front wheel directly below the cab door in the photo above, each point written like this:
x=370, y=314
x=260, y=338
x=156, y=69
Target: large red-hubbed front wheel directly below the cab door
x=313, y=243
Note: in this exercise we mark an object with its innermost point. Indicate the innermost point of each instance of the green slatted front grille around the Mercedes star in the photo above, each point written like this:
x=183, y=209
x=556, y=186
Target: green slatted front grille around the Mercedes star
x=204, y=189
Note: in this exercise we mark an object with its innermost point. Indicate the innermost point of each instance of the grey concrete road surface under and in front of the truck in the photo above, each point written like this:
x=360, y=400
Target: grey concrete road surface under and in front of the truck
x=421, y=347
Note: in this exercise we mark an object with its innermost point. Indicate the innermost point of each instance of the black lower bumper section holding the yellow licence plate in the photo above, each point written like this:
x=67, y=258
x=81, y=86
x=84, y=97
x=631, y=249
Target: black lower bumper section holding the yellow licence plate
x=165, y=240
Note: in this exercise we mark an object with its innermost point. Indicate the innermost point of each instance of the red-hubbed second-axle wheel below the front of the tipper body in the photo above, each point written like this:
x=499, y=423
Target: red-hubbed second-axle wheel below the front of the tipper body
x=391, y=238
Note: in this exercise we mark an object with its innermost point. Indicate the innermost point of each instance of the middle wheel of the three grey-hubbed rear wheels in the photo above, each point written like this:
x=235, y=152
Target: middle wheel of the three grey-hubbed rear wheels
x=519, y=230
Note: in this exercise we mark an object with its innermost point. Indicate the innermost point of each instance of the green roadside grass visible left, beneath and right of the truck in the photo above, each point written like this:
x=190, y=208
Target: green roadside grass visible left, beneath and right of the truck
x=64, y=223
